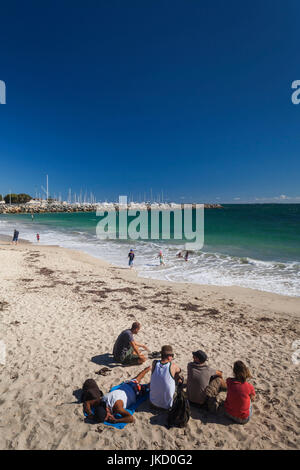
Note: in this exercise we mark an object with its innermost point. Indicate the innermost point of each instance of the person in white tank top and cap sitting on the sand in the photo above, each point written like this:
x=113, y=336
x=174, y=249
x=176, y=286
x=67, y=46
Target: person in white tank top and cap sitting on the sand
x=165, y=375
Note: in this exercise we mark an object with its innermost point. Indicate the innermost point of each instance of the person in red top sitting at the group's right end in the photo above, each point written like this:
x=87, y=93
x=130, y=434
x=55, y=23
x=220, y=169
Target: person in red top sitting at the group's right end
x=239, y=394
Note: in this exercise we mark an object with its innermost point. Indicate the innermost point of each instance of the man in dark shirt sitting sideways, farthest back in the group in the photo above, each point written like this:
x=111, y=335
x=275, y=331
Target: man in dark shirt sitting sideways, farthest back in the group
x=126, y=350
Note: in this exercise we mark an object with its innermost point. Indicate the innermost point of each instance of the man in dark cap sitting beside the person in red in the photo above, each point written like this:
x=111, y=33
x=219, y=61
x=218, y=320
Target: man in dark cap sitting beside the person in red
x=203, y=382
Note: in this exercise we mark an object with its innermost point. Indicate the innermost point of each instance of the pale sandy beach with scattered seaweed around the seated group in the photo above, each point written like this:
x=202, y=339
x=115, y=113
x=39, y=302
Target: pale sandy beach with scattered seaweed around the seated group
x=60, y=313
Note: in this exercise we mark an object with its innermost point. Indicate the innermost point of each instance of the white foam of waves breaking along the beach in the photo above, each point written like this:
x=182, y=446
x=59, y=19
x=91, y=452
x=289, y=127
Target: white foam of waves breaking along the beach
x=202, y=268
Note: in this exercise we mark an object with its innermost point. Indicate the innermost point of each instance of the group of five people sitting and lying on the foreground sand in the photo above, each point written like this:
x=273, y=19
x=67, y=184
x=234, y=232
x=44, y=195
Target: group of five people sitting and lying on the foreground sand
x=202, y=386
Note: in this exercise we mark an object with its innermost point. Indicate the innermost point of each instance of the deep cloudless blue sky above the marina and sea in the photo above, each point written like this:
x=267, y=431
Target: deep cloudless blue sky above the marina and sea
x=191, y=96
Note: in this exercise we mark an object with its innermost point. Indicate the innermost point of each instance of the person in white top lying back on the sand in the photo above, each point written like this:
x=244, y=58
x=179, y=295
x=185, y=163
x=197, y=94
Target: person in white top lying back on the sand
x=116, y=401
